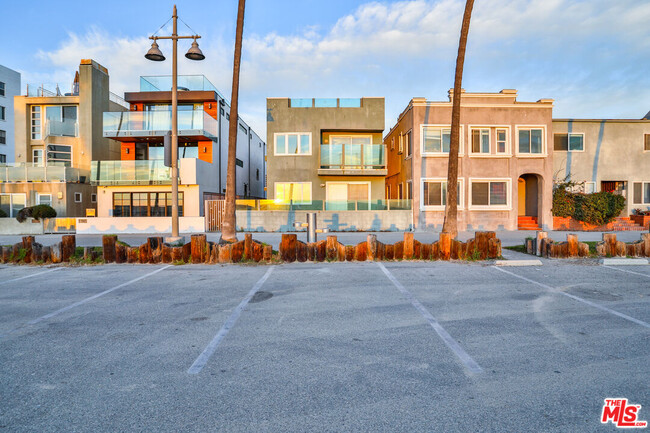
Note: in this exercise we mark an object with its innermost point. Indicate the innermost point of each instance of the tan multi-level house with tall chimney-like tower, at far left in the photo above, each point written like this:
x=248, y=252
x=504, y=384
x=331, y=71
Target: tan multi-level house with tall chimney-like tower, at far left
x=57, y=135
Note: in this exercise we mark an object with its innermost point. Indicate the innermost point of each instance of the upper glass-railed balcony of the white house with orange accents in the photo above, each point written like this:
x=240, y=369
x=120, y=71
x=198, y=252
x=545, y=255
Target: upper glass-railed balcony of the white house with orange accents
x=135, y=124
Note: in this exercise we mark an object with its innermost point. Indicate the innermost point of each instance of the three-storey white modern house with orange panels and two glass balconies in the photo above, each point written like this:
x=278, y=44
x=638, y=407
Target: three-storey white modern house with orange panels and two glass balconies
x=137, y=183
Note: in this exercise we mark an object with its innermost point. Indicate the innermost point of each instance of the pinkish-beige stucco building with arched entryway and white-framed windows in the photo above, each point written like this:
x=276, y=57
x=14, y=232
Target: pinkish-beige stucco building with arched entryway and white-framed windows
x=505, y=161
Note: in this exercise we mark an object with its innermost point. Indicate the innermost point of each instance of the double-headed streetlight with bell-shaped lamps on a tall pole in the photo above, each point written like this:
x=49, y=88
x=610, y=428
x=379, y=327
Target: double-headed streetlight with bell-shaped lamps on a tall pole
x=194, y=53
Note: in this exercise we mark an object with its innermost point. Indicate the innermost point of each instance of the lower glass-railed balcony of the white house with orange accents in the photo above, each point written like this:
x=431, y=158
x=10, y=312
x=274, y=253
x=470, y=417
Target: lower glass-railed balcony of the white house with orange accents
x=192, y=171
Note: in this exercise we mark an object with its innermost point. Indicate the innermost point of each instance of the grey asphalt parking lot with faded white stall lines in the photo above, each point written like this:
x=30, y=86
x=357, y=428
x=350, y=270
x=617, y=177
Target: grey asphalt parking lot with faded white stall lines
x=401, y=346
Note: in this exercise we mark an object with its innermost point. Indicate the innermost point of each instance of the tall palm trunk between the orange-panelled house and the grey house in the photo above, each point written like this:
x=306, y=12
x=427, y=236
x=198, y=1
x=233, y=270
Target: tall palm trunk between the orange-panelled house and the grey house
x=229, y=226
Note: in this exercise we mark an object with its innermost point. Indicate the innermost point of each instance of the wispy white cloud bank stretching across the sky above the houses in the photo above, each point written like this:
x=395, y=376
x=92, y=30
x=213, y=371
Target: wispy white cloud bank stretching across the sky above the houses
x=591, y=56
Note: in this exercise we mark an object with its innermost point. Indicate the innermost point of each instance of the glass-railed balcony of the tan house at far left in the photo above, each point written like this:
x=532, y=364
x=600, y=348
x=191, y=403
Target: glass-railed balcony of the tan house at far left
x=28, y=172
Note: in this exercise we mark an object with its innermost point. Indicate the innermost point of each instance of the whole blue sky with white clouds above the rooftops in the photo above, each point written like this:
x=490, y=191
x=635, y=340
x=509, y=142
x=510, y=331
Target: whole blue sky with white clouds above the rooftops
x=591, y=56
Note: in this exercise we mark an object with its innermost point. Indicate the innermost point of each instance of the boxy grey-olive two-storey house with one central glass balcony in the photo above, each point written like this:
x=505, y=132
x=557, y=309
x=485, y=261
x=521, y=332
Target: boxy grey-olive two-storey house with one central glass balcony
x=326, y=153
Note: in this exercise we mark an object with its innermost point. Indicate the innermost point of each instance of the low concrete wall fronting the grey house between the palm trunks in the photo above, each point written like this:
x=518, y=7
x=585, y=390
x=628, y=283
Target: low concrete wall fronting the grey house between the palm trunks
x=335, y=221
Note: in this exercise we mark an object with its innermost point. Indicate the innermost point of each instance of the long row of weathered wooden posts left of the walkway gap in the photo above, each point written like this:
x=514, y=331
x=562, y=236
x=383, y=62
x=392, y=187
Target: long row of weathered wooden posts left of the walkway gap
x=485, y=245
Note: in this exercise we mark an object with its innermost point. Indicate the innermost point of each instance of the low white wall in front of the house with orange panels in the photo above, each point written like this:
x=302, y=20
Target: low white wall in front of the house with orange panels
x=110, y=225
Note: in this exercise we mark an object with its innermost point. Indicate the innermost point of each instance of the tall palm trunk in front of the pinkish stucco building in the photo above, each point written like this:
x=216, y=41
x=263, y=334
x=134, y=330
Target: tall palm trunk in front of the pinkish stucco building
x=451, y=209
